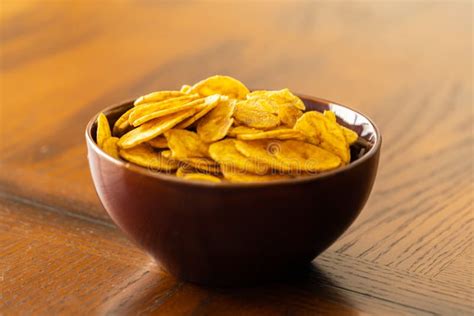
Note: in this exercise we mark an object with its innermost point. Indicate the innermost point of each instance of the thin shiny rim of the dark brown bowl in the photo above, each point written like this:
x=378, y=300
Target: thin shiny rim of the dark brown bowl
x=197, y=183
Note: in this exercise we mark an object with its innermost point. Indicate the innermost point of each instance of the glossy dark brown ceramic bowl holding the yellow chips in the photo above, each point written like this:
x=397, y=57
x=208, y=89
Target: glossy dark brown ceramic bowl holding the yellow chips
x=232, y=233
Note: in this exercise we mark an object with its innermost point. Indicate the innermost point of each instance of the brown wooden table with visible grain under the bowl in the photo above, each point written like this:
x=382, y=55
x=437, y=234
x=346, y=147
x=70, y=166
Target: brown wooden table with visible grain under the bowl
x=406, y=65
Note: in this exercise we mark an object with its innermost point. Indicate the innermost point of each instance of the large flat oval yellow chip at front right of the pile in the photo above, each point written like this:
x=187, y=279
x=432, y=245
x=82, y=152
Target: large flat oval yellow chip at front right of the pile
x=301, y=156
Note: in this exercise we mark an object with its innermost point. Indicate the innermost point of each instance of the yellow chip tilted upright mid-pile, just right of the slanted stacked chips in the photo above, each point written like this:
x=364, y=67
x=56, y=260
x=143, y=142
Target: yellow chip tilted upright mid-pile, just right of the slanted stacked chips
x=215, y=125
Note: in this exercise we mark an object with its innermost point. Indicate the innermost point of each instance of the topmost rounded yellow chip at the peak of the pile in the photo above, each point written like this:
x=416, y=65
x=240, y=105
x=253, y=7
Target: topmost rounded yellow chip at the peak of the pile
x=223, y=85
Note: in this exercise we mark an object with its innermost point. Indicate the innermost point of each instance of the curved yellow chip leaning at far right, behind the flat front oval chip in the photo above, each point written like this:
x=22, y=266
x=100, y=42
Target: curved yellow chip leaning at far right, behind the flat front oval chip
x=319, y=130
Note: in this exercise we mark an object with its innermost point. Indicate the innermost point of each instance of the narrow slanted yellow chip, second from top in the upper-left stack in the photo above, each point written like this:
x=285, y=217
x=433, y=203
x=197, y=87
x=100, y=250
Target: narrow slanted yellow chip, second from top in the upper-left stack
x=178, y=106
